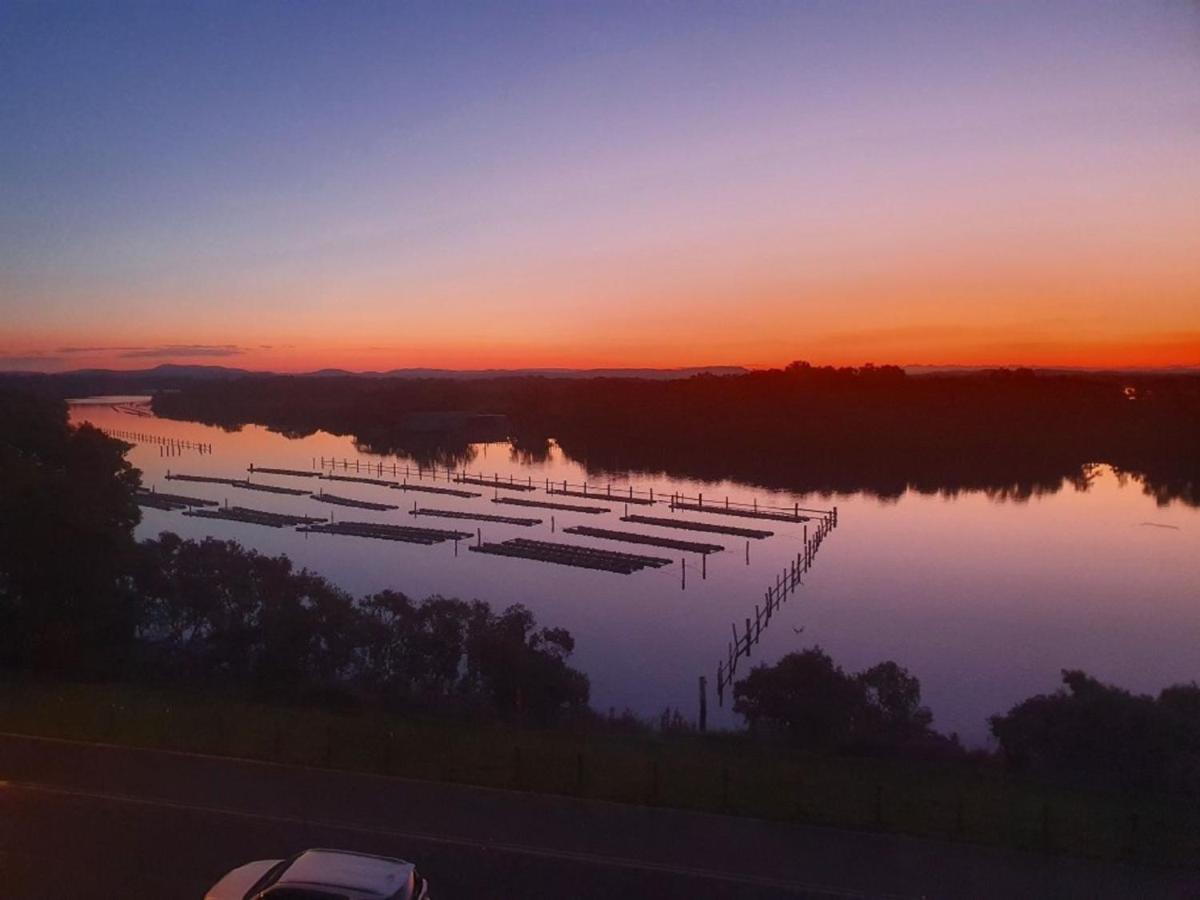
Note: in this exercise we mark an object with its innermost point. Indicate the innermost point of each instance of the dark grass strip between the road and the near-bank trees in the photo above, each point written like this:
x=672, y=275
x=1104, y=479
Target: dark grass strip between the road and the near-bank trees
x=717, y=773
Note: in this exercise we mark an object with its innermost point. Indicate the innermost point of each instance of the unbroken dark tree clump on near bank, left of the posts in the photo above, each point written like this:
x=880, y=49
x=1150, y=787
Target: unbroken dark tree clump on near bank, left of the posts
x=81, y=598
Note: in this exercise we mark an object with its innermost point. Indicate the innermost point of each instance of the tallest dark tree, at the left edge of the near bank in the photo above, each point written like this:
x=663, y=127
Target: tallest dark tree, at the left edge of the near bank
x=67, y=521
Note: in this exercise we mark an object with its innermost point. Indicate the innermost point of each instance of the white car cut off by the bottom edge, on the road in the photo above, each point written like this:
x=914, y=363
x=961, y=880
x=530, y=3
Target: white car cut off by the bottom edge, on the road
x=323, y=875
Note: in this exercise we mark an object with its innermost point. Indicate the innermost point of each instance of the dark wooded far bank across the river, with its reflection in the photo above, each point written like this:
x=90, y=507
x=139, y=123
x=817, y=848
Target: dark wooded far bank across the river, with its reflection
x=1012, y=434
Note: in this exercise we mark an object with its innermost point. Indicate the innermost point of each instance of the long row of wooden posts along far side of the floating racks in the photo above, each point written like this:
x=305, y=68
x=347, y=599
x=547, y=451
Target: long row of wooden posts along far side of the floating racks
x=551, y=487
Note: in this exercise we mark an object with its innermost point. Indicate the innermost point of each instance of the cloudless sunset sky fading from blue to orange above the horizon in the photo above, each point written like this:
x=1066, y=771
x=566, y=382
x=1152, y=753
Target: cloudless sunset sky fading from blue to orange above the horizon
x=369, y=185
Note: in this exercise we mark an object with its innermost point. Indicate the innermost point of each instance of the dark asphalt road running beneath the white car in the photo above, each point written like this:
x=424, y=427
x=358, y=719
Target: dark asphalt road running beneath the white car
x=87, y=821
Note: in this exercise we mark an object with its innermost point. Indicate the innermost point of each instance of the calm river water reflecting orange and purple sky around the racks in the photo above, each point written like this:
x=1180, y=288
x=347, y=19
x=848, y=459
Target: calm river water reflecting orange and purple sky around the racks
x=986, y=602
